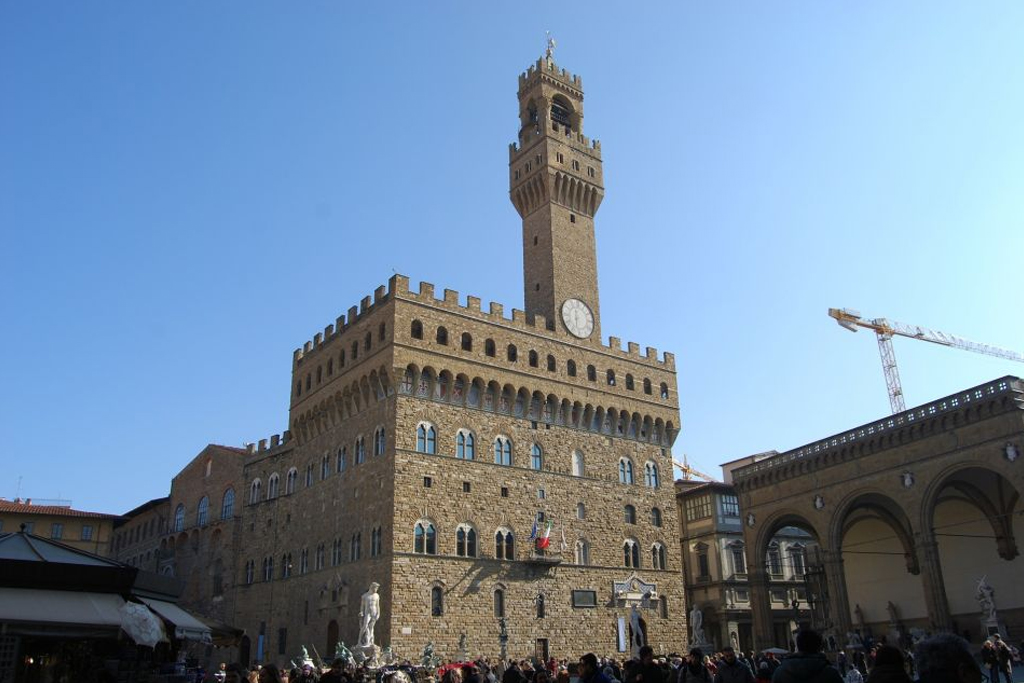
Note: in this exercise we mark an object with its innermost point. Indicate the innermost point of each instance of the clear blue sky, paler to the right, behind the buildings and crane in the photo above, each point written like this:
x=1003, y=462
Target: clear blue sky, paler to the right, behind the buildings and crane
x=191, y=191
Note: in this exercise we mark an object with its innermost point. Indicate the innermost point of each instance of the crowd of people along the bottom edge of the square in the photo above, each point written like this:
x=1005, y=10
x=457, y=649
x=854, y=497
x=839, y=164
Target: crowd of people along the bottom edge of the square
x=943, y=659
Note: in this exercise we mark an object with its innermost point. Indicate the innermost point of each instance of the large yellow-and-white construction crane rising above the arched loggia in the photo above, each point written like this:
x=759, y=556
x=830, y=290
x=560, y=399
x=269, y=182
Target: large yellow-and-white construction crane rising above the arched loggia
x=885, y=330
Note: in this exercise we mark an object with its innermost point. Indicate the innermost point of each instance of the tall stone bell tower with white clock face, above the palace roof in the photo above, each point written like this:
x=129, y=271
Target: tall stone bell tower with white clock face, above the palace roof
x=557, y=185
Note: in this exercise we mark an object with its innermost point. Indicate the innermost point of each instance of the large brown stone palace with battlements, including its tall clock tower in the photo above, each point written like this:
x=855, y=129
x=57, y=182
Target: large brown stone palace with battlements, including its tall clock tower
x=431, y=437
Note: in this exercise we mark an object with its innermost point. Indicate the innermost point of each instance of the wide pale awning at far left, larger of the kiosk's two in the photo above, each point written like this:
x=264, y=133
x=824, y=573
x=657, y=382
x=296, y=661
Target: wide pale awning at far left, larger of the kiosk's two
x=28, y=606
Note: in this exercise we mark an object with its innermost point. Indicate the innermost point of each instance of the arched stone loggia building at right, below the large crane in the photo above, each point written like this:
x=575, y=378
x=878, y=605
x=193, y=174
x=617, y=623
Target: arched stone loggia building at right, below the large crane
x=934, y=492
